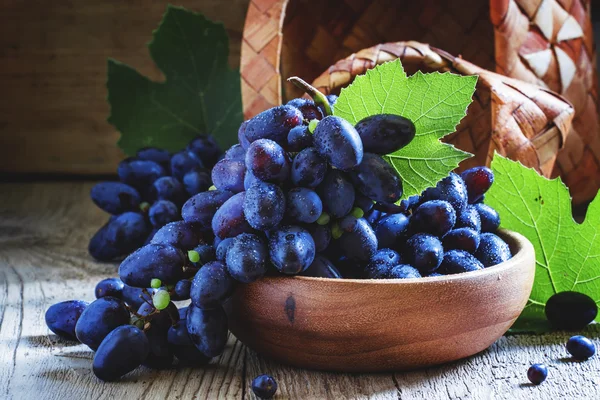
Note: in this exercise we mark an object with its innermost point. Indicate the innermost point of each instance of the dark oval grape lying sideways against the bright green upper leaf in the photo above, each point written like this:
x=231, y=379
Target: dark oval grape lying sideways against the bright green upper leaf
x=385, y=133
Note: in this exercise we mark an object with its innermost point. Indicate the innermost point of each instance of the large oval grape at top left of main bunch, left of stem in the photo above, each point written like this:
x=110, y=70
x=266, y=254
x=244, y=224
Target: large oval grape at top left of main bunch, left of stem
x=274, y=124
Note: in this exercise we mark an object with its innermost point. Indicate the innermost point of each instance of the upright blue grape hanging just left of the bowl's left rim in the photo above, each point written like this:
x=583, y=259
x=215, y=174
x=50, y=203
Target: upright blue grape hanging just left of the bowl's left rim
x=211, y=285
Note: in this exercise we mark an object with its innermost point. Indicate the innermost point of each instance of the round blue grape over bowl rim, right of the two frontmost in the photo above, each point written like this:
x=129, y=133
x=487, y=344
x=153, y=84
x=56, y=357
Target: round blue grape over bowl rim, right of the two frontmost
x=292, y=249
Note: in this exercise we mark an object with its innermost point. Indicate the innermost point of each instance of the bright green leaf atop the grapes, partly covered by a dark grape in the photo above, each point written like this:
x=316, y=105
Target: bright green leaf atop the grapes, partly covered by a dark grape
x=435, y=103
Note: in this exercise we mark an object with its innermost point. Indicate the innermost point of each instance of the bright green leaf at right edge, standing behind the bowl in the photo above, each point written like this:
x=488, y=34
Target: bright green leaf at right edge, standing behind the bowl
x=567, y=253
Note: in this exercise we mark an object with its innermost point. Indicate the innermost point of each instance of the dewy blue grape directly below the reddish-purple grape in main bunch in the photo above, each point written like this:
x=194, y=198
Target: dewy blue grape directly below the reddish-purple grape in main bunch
x=264, y=206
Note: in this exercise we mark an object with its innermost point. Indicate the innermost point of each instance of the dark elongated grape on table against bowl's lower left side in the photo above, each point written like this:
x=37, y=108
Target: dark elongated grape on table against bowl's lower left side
x=207, y=329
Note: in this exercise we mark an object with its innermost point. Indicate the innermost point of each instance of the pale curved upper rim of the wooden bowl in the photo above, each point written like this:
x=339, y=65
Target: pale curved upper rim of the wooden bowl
x=517, y=242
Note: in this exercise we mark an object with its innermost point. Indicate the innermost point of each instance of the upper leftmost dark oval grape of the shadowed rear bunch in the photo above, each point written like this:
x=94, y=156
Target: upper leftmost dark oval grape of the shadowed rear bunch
x=115, y=197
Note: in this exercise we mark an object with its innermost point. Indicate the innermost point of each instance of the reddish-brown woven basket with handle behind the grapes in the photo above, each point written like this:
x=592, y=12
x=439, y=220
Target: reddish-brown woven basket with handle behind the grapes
x=301, y=37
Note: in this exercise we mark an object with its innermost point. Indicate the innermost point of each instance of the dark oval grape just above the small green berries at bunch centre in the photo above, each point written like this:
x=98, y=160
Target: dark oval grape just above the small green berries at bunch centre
x=337, y=193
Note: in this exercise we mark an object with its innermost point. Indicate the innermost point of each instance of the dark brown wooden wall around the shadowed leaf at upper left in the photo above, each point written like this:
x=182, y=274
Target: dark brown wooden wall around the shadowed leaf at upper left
x=53, y=56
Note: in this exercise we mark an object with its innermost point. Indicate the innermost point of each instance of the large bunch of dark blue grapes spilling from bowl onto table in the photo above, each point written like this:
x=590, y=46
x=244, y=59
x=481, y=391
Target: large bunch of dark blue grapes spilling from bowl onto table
x=302, y=193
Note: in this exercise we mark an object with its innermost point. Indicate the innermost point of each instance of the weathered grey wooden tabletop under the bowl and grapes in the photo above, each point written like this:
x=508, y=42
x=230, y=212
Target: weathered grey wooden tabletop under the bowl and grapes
x=44, y=231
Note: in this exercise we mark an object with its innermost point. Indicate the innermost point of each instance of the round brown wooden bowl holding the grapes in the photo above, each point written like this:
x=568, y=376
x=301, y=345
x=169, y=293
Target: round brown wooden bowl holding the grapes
x=387, y=324
